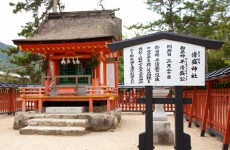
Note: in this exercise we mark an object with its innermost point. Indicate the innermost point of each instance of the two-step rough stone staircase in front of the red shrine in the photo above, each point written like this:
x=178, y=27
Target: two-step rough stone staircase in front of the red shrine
x=55, y=126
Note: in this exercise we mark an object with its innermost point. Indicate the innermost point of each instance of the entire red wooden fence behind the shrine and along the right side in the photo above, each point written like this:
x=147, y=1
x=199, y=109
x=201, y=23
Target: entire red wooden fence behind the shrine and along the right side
x=210, y=108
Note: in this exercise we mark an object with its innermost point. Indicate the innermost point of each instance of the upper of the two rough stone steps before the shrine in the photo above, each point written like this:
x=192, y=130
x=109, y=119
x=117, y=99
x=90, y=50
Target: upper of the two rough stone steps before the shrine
x=58, y=122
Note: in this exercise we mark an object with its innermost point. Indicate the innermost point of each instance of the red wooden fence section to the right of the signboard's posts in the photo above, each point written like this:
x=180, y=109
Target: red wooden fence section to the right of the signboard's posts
x=210, y=109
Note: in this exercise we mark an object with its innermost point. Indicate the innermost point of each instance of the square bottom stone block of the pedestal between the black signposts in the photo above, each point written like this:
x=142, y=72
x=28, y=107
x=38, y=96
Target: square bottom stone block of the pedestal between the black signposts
x=163, y=138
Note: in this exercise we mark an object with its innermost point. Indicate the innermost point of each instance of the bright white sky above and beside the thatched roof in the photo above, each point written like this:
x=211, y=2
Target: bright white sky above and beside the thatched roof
x=131, y=12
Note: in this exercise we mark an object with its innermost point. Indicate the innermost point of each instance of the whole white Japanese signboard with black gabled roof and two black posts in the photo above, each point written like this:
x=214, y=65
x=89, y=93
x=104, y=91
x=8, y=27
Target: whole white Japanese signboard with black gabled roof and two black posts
x=165, y=59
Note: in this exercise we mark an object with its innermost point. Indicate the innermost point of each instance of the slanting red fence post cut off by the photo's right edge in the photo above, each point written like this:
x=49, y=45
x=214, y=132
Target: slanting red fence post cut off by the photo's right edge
x=227, y=129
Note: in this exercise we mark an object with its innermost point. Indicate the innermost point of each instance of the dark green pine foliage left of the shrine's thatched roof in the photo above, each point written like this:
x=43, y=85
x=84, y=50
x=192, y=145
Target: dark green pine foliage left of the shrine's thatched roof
x=39, y=10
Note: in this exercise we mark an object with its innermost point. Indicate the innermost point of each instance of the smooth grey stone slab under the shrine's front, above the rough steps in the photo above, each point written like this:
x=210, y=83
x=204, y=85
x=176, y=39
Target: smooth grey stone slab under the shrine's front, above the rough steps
x=65, y=109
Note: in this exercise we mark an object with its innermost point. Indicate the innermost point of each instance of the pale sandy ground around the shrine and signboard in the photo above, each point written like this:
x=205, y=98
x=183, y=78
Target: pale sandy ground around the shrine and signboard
x=125, y=137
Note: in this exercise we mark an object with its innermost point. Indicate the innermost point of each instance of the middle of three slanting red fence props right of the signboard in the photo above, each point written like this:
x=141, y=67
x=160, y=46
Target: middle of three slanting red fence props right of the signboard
x=206, y=108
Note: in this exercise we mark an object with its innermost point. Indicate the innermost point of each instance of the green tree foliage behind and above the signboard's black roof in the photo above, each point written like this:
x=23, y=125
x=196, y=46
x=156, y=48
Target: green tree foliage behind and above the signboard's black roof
x=203, y=18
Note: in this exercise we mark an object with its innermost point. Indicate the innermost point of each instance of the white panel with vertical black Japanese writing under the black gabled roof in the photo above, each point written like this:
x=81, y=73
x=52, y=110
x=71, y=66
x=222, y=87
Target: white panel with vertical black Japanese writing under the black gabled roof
x=164, y=63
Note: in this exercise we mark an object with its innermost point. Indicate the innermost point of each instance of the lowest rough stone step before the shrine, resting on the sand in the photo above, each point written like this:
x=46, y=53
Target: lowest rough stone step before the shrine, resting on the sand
x=51, y=130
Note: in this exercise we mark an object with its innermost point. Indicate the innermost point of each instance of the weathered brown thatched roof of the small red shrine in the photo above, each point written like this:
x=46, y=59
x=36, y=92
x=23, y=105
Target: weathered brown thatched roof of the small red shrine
x=68, y=26
